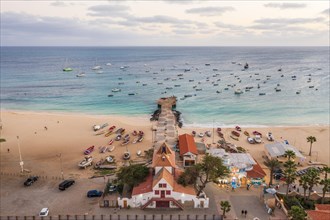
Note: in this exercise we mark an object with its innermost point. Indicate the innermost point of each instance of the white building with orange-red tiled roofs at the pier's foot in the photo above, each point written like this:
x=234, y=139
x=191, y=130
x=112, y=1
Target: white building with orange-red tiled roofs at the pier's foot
x=160, y=190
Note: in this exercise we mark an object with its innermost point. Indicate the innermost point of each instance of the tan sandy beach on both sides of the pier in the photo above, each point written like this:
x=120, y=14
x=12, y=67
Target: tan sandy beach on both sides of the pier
x=70, y=134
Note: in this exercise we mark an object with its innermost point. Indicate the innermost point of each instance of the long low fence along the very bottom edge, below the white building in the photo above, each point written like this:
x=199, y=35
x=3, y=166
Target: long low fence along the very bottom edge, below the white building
x=116, y=217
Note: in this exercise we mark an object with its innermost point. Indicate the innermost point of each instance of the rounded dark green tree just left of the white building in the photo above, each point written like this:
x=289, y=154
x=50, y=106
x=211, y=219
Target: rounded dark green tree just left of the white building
x=132, y=175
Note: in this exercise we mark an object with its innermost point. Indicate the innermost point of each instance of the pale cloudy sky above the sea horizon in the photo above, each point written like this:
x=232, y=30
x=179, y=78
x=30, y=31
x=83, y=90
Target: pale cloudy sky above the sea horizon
x=164, y=23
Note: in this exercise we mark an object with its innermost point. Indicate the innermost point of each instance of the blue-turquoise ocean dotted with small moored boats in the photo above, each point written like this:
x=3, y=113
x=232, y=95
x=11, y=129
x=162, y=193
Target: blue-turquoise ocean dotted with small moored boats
x=32, y=79
